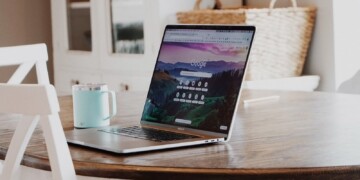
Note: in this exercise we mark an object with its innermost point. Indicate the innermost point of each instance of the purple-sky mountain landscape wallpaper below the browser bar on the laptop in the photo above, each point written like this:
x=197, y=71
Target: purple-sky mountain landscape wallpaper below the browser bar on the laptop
x=226, y=66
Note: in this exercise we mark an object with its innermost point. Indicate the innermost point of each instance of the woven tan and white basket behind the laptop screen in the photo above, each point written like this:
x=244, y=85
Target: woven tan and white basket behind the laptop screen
x=281, y=42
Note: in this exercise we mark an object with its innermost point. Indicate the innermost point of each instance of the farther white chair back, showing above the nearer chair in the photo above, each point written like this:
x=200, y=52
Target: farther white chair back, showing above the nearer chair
x=26, y=56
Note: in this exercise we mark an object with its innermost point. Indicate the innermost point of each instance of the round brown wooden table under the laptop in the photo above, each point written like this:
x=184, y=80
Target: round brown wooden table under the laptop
x=303, y=135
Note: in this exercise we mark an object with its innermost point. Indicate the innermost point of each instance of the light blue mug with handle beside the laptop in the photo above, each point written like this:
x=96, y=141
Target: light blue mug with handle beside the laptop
x=91, y=105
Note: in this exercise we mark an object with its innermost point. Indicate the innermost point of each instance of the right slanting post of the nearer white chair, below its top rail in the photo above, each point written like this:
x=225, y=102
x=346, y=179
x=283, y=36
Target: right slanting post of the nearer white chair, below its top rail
x=60, y=158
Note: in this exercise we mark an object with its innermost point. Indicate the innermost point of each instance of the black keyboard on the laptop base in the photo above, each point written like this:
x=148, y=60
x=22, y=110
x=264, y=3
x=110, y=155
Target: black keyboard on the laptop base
x=148, y=133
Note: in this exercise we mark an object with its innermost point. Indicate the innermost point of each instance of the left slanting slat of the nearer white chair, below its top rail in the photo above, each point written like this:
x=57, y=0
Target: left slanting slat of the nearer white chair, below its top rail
x=17, y=147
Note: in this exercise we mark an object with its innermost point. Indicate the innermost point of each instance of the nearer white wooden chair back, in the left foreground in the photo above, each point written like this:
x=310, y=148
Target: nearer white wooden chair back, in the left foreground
x=38, y=103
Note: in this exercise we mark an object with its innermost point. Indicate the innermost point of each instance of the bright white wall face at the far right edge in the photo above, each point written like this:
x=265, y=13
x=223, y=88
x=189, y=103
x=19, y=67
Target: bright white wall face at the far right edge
x=347, y=39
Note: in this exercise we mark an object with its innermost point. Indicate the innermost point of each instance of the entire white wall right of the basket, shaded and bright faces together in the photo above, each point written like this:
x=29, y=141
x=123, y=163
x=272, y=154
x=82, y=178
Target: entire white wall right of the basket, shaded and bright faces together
x=335, y=48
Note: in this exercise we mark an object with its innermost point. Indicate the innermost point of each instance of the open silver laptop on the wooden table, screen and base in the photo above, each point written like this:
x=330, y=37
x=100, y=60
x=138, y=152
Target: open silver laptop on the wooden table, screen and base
x=193, y=95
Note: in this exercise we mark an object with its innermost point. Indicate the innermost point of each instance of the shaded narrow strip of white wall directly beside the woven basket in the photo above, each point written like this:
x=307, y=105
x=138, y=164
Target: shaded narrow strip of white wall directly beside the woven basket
x=321, y=58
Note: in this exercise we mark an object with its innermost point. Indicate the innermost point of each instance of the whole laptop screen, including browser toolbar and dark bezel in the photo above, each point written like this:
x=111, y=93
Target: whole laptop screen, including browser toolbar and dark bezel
x=198, y=75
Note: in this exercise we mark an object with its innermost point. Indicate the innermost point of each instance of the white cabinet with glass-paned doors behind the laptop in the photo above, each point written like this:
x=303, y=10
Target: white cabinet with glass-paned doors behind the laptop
x=90, y=41
